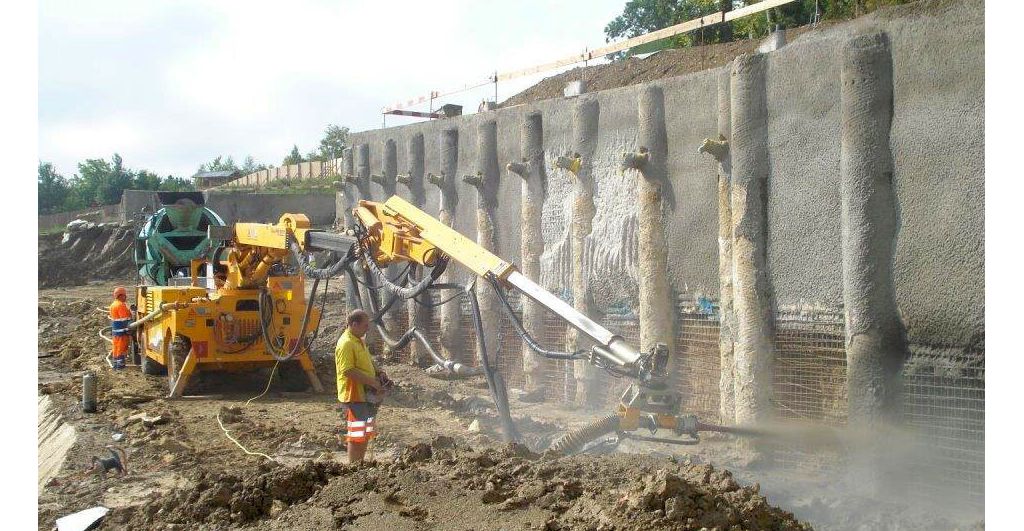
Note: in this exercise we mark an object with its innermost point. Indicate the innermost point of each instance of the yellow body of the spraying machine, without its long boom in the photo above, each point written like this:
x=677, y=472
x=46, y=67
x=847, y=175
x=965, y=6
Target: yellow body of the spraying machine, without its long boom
x=245, y=309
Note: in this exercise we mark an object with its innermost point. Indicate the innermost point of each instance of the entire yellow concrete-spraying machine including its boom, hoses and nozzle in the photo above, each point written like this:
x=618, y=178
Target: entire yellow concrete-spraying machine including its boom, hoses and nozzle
x=255, y=313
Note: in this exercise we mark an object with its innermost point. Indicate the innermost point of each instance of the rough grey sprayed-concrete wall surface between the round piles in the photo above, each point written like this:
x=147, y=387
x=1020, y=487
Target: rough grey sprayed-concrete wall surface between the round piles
x=937, y=144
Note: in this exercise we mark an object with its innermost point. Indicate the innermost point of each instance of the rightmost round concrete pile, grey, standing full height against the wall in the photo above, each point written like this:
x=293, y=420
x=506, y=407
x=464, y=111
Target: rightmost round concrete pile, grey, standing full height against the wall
x=876, y=341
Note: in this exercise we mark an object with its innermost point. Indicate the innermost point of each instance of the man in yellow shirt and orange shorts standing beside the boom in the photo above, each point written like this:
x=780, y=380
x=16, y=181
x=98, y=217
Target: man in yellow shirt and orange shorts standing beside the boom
x=361, y=385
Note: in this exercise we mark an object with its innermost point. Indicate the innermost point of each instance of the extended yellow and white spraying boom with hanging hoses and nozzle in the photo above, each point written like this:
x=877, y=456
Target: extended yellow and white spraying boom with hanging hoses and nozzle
x=396, y=233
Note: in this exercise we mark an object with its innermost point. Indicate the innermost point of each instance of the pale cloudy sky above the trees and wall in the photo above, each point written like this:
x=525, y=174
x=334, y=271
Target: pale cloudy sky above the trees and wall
x=173, y=85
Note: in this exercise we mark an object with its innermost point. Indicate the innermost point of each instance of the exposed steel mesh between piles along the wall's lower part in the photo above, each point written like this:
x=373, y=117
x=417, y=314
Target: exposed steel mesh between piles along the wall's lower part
x=945, y=395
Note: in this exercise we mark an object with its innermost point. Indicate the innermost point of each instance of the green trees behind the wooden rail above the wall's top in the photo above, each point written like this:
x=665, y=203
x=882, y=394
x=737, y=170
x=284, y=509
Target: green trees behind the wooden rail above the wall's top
x=643, y=17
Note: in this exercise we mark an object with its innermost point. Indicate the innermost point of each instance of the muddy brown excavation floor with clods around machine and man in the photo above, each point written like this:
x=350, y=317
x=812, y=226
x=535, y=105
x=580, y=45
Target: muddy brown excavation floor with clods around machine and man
x=429, y=470
